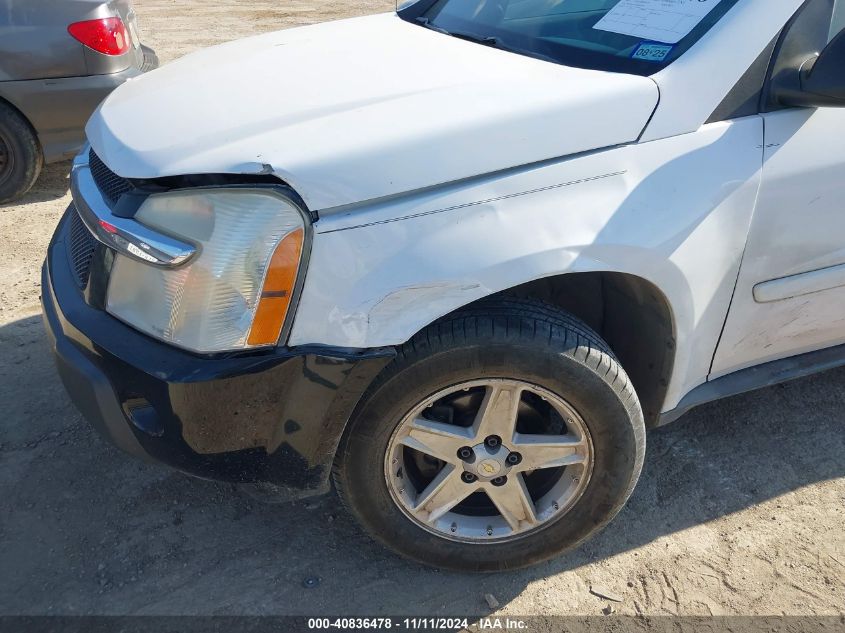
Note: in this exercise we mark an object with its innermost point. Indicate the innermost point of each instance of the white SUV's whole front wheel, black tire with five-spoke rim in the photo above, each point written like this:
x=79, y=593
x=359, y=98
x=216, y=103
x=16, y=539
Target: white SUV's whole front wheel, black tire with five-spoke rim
x=499, y=437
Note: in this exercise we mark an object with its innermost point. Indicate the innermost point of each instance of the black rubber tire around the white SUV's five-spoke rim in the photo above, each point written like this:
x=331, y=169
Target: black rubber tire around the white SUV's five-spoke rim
x=494, y=339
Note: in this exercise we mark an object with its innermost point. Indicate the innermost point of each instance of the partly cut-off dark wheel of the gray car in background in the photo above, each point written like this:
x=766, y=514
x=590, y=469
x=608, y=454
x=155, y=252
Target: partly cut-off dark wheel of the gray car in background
x=21, y=158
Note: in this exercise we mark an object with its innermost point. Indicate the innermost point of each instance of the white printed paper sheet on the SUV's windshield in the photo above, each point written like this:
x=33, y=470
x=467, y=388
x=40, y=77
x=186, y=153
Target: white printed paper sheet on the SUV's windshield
x=667, y=21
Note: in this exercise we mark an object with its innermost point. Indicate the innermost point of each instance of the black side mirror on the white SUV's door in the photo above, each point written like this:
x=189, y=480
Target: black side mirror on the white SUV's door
x=821, y=79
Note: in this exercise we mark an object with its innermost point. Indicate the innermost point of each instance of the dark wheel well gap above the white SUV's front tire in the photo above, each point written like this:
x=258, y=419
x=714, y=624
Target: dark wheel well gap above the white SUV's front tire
x=630, y=313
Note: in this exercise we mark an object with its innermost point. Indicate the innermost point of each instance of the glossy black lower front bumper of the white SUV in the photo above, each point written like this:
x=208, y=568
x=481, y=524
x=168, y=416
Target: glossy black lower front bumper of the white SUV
x=273, y=417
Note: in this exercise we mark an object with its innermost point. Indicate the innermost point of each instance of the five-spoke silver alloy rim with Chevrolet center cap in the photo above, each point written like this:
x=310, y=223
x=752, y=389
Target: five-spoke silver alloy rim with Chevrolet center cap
x=489, y=460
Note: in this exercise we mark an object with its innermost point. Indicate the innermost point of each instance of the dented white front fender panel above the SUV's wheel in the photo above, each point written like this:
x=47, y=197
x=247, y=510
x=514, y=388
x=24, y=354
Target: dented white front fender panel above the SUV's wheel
x=677, y=215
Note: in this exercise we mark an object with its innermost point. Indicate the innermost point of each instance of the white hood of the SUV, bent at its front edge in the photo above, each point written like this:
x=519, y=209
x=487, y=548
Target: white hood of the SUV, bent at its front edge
x=360, y=109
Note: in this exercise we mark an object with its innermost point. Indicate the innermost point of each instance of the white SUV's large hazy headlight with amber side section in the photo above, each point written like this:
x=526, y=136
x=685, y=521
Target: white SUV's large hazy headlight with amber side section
x=235, y=292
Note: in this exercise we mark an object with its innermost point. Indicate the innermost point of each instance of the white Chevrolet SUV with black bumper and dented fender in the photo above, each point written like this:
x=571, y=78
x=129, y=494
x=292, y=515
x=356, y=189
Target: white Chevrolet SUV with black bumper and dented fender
x=458, y=258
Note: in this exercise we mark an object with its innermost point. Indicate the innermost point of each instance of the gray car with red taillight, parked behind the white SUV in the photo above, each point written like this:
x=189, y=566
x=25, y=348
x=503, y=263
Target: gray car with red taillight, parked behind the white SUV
x=58, y=60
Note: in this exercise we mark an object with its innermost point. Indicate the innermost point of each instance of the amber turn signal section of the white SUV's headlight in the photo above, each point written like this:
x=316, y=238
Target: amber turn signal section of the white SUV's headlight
x=277, y=291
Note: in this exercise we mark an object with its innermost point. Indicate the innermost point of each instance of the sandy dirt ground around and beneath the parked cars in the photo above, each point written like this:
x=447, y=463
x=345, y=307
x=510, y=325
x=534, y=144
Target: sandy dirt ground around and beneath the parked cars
x=740, y=509
